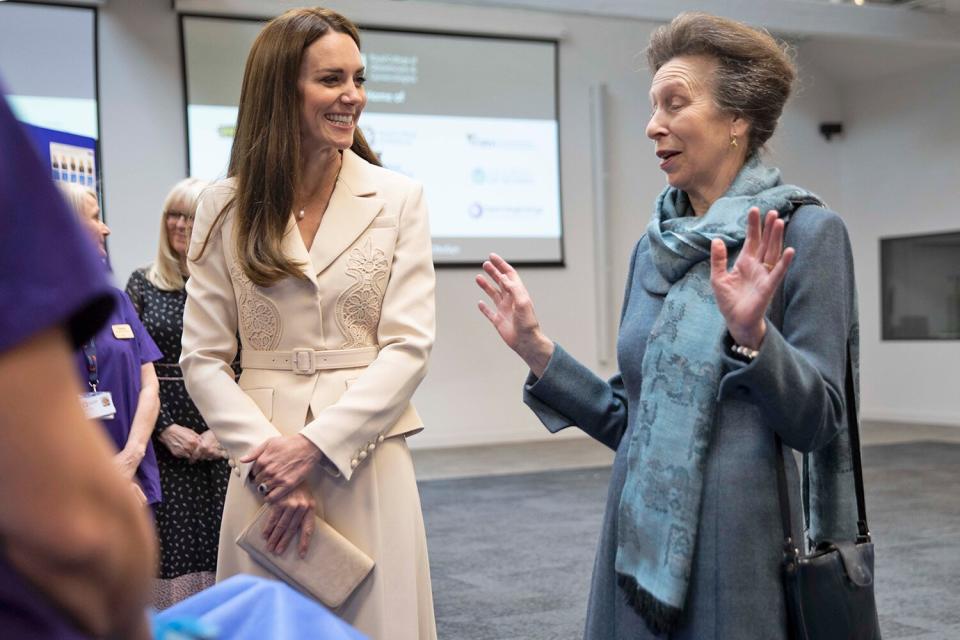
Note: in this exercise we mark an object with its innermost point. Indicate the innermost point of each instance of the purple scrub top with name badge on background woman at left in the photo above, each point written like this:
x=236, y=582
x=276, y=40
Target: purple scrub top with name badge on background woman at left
x=118, y=367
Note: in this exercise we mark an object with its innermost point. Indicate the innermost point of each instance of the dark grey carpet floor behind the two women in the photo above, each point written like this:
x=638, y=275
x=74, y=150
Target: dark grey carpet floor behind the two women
x=511, y=556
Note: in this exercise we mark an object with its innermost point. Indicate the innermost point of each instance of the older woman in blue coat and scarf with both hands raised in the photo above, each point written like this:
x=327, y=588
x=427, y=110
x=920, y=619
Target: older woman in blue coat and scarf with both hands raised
x=725, y=341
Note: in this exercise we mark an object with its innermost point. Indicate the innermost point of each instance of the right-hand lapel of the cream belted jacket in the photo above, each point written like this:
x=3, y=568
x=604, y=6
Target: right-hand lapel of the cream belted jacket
x=352, y=207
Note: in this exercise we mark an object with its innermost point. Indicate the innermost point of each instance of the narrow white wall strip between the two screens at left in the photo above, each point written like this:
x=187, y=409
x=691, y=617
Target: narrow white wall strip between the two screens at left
x=142, y=125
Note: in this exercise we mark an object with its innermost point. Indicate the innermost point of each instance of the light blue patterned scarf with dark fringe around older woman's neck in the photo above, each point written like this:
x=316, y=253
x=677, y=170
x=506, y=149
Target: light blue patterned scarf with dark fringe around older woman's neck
x=660, y=504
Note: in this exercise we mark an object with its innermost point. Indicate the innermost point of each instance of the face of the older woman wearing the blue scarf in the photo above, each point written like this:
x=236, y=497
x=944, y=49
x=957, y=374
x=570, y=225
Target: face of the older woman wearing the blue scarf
x=691, y=134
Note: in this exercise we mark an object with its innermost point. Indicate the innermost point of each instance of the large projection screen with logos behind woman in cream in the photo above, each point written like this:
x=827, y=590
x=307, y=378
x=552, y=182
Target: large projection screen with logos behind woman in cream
x=474, y=118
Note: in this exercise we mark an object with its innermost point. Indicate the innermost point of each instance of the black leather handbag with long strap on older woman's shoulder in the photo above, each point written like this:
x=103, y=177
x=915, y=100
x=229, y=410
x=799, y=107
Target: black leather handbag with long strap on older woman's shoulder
x=829, y=590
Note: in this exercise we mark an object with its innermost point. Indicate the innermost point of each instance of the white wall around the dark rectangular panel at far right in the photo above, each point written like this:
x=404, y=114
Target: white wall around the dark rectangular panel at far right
x=900, y=157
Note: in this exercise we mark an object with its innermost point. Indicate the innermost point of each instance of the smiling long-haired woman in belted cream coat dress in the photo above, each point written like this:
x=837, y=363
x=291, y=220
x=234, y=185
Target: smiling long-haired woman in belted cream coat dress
x=321, y=262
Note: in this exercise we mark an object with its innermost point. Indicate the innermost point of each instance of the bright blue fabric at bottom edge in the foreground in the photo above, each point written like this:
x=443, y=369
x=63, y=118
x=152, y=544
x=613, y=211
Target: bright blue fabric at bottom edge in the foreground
x=250, y=608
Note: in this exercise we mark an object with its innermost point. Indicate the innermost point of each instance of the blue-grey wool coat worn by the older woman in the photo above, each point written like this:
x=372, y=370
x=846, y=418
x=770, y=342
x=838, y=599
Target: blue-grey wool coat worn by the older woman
x=795, y=387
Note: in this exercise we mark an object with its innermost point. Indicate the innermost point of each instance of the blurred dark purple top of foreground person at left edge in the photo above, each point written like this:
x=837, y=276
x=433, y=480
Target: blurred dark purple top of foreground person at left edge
x=50, y=276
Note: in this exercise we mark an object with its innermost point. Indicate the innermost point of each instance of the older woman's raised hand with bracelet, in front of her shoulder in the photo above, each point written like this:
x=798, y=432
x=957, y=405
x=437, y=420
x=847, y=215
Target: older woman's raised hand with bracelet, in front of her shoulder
x=744, y=293
